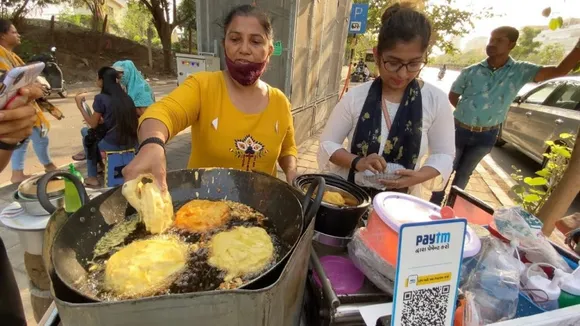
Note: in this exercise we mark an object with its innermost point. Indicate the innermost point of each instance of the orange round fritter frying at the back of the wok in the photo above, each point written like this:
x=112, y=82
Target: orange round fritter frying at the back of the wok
x=201, y=215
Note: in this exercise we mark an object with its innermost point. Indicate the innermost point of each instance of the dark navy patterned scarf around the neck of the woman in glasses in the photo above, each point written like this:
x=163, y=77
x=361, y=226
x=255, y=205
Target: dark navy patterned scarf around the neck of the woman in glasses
x=404, y=139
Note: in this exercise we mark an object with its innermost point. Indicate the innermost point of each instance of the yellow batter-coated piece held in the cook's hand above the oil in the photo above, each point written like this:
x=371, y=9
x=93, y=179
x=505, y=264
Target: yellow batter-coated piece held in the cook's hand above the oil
x=154, y=207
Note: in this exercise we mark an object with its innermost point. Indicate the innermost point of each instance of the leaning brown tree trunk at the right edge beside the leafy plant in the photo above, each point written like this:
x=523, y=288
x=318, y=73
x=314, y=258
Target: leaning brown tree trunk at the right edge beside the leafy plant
x=566, y=191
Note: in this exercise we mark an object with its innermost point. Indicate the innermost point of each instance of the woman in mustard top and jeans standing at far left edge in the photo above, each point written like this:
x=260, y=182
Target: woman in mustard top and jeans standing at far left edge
x=10, y=39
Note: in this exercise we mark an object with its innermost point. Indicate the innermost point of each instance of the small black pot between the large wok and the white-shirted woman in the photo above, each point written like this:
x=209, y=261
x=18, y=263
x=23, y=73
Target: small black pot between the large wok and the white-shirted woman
x=335, y=220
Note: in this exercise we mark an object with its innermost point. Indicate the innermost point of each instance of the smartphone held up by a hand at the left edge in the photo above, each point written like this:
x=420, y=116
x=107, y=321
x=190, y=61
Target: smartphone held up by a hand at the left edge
x=17, y=78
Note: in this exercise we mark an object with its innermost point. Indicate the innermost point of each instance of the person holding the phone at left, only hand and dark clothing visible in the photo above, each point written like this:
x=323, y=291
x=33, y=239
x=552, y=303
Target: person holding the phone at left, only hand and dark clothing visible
x=17, y=121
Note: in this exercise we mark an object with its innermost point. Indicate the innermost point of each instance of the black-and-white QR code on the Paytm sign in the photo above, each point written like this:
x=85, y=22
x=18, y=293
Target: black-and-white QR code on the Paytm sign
x=425, y=307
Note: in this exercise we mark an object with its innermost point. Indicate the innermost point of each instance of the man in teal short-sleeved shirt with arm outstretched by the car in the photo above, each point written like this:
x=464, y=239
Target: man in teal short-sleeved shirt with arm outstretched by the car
x=482, y=95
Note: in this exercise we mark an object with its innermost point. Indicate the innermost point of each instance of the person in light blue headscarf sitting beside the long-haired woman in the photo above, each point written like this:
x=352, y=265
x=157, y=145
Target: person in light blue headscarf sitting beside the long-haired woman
x=136, y=86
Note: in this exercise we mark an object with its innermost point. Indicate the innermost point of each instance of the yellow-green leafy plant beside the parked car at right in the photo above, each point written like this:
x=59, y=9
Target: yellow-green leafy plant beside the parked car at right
x=532, y=192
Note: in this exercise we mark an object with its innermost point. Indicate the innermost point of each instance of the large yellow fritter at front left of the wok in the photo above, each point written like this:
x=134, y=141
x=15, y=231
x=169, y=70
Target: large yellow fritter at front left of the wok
x=146, y=267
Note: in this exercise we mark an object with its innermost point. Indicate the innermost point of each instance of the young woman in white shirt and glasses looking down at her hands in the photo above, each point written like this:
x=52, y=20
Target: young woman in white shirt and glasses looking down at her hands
x=396, y=118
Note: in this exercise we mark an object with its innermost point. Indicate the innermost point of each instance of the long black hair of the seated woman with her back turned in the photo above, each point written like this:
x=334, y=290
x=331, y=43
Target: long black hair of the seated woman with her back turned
x=124, y=110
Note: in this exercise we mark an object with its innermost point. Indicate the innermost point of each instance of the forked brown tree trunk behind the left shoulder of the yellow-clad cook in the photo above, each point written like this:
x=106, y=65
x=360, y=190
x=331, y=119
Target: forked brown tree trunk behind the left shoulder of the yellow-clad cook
x=165, y=19
